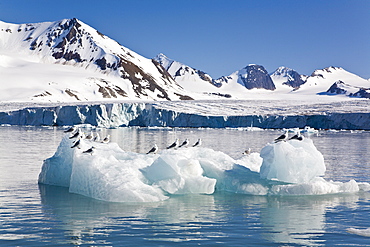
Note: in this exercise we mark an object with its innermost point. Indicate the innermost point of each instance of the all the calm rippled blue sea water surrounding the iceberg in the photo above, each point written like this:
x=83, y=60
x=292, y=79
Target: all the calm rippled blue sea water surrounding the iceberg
x=39, y=215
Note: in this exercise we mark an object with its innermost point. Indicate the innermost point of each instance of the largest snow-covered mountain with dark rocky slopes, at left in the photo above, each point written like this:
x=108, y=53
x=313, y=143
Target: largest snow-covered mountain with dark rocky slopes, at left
x=68, y=60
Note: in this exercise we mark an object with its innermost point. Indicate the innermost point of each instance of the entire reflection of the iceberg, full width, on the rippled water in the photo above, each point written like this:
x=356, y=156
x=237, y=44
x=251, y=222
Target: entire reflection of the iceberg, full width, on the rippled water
x=203, y=218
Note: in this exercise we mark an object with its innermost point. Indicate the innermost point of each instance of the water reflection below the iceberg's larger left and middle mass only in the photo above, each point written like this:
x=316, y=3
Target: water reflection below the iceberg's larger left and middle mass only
x=83, y=217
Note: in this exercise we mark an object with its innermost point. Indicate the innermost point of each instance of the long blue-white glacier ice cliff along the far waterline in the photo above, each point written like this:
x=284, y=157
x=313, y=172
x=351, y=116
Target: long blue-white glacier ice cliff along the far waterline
x=188, y=114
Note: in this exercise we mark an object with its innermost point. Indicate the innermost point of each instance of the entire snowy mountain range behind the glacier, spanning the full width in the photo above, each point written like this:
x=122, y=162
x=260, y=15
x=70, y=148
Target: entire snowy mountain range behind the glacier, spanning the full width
x=99, y=68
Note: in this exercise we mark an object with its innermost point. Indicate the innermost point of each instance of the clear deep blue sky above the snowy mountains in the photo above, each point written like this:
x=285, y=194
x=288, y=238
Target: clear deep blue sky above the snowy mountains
x=220, y=37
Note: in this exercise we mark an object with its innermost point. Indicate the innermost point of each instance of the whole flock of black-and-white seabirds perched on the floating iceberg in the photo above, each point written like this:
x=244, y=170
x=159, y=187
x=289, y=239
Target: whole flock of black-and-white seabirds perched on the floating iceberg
x=77, y=134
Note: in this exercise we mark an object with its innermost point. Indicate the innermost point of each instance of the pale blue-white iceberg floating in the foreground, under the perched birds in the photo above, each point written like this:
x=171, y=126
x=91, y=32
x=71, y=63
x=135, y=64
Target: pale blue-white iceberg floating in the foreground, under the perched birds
x=112, y=174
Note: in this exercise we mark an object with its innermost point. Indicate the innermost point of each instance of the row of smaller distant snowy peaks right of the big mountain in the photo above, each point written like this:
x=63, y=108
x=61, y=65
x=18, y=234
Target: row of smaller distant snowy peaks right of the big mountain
x=283, y=81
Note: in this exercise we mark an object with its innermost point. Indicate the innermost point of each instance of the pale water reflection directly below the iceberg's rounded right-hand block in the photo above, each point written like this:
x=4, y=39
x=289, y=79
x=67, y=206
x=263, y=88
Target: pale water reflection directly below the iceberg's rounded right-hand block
x=300, y=220
